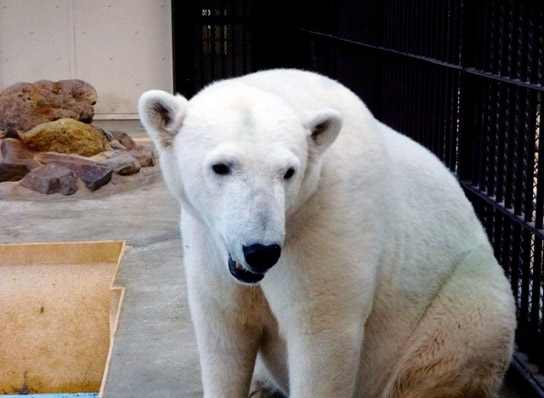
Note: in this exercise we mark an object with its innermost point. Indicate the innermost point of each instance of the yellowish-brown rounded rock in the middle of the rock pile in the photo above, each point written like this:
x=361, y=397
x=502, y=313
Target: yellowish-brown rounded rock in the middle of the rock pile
x=65, y=136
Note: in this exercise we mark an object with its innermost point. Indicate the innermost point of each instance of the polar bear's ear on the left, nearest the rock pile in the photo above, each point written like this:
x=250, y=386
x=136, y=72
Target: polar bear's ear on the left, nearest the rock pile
x=162, y=115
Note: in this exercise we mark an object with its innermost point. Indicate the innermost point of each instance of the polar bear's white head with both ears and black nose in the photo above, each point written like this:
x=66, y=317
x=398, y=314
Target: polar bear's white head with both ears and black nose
x=241, y=161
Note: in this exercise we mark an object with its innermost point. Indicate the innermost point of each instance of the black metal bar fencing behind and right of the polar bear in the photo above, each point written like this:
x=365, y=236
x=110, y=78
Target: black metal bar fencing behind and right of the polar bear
x=463, y=78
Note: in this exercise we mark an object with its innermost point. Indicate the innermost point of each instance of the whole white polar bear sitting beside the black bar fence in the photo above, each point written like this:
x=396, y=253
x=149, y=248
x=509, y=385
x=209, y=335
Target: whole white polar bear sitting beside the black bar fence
x=338, y=254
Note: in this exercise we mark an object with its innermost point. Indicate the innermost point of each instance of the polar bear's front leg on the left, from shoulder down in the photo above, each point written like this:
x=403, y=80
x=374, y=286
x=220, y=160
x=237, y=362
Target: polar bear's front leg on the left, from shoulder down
x=226, y=316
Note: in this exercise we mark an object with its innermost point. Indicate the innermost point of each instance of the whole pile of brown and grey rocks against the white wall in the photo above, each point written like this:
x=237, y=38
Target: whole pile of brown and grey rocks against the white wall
x=48, y=145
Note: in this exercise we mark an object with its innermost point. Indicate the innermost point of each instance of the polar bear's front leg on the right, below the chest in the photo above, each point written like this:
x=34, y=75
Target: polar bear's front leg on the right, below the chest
x=323, y=320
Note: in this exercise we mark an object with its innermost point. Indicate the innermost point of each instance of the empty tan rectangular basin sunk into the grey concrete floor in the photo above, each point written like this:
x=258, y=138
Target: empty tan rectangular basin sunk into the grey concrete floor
x=58, y=315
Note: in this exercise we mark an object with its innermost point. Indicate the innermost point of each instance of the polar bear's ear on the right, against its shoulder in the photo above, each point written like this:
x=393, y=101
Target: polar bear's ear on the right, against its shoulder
x=324, y=128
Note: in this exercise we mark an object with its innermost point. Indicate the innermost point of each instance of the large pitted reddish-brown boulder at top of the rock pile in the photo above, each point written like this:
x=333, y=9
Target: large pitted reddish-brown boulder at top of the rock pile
x=23, y=106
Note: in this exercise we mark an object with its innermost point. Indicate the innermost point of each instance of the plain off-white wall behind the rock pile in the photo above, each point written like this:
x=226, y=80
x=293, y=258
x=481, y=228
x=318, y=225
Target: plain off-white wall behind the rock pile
x=121, y=47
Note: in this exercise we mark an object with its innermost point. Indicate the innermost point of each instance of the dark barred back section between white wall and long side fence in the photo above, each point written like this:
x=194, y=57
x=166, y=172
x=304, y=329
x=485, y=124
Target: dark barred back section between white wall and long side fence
x=214, y=39
